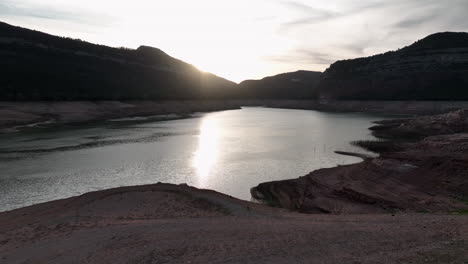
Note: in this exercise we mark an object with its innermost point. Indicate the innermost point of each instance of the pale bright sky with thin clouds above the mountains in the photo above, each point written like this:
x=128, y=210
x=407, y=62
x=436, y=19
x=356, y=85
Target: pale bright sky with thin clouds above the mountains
x=245, y=39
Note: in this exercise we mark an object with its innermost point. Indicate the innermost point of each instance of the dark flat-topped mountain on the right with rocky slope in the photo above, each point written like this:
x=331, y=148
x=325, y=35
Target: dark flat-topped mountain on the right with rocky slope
x=434, y=68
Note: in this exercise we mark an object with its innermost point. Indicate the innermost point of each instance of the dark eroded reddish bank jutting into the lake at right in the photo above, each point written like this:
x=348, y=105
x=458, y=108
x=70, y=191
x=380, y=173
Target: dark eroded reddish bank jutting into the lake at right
x=427, y=172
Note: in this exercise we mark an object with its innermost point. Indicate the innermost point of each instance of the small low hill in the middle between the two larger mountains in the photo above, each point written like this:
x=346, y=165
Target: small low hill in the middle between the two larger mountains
x=293, y=85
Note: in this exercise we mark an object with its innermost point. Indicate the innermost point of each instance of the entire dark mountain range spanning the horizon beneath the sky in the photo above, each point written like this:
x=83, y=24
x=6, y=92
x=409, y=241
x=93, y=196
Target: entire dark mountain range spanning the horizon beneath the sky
x=39, y=66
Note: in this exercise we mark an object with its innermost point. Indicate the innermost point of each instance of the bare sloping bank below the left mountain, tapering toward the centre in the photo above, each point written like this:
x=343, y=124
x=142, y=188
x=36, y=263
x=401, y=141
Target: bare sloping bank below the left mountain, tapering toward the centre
x=13, y=115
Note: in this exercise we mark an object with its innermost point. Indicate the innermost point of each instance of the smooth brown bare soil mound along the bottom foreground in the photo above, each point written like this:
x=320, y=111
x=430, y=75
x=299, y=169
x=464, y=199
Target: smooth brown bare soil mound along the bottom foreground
x=179, y=224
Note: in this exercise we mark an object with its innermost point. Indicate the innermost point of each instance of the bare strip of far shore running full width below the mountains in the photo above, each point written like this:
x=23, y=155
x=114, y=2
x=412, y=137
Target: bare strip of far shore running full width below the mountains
x=17, y=115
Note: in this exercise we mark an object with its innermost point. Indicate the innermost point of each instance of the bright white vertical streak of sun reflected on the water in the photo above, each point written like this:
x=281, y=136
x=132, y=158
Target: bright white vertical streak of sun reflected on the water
x=207, y=152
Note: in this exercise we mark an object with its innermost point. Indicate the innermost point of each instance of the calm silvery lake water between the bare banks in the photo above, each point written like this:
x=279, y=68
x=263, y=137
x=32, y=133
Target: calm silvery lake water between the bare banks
x=229, y=151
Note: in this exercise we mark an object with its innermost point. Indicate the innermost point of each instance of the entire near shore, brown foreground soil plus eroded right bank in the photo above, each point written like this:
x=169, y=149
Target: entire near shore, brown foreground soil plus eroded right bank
x=166, y=223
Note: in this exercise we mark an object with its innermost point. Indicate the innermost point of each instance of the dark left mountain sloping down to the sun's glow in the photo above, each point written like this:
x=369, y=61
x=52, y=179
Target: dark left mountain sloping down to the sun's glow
x=39, y=66
